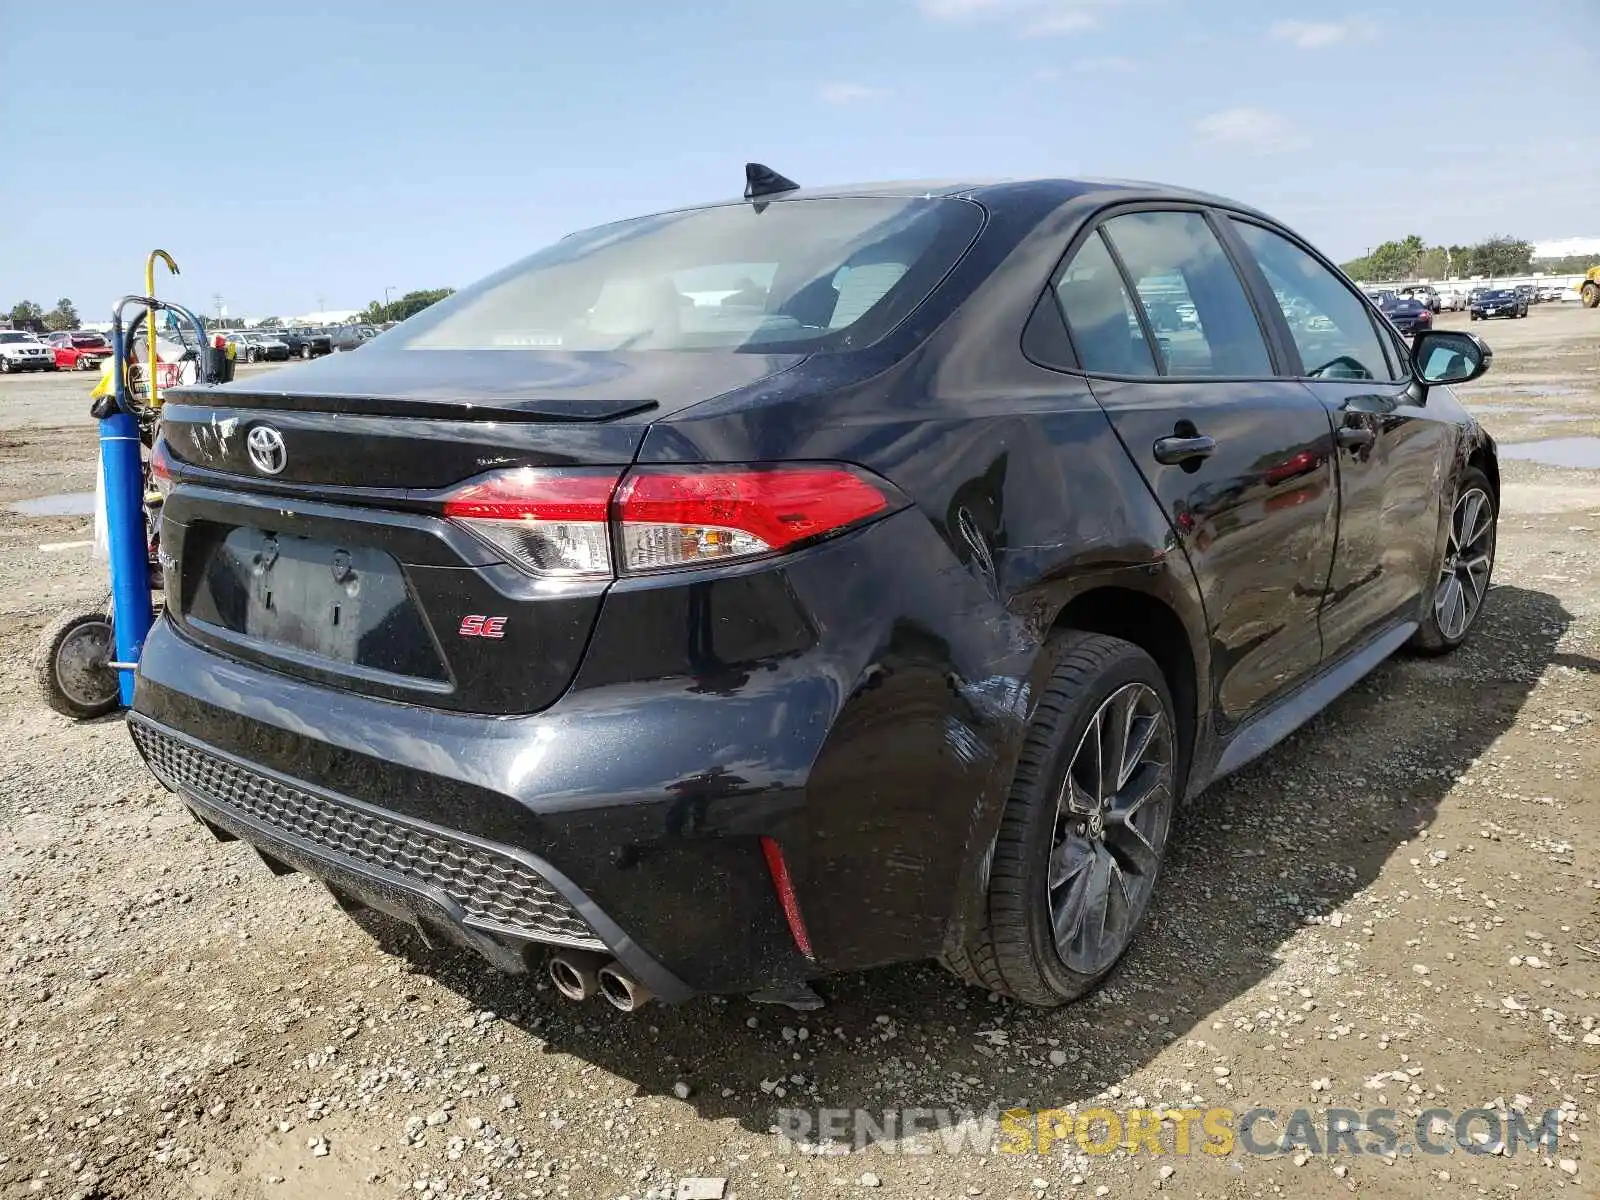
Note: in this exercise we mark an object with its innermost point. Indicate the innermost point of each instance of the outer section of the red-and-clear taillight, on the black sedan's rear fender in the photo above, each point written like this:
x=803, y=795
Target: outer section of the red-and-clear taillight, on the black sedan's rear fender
x=689, y=518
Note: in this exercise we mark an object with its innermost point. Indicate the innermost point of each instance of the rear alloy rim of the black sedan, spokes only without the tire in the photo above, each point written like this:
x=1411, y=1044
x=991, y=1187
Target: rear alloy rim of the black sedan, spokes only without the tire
x=1113, y=815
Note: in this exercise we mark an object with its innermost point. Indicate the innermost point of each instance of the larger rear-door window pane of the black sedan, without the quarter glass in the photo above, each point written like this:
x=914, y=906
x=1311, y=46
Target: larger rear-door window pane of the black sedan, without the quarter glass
x=1191, y=295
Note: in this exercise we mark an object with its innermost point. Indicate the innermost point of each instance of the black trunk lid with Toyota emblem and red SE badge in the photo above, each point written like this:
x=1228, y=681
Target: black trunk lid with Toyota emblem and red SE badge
x=340, y=566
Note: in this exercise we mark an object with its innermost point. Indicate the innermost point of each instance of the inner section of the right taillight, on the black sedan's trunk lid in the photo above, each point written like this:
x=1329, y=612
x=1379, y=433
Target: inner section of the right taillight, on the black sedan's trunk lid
x=551, y=524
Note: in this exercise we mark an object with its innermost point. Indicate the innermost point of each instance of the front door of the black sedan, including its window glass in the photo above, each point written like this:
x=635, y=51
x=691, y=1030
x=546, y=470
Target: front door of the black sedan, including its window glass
x=1393, y=452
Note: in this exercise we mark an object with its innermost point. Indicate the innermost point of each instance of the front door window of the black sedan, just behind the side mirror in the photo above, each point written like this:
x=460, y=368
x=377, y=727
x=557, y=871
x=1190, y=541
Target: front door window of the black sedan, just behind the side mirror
x=1332, y=329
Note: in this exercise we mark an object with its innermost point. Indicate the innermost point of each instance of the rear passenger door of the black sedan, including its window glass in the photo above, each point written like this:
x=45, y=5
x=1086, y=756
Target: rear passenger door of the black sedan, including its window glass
x=1238, y=457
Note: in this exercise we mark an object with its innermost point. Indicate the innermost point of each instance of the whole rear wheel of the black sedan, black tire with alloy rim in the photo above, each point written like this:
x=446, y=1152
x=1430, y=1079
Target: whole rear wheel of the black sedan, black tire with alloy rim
x=1086, y=826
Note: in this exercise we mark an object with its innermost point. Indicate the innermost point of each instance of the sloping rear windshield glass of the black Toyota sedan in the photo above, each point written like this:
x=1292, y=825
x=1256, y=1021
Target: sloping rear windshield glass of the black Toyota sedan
x=786, y=276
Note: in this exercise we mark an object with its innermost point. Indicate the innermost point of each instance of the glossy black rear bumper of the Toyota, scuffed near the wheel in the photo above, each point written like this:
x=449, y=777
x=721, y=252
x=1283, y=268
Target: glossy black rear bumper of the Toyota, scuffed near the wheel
x=878, y=761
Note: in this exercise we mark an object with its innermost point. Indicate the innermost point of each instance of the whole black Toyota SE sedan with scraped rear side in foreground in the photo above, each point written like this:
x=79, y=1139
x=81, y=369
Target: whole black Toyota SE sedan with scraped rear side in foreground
x=817, y=580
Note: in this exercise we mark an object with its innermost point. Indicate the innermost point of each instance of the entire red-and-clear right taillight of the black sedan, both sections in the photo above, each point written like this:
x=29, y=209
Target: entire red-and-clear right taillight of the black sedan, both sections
x=564, y=524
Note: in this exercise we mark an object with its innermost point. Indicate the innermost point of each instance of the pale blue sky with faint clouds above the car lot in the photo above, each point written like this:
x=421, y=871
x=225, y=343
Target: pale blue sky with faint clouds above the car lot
x=319, y=153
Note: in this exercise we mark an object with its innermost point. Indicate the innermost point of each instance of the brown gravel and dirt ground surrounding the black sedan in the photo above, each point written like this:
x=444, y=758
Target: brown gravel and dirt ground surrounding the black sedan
x=1399, y=908
